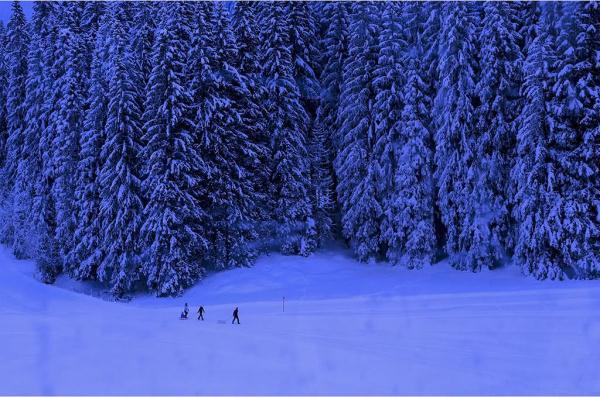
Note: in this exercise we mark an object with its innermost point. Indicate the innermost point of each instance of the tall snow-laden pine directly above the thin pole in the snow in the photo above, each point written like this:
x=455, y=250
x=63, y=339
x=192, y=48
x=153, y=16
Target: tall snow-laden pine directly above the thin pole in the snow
x=288, y=129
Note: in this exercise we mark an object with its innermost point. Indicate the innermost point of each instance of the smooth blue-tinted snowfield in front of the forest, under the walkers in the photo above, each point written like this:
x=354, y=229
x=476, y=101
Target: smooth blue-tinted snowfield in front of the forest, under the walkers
x=348, y=328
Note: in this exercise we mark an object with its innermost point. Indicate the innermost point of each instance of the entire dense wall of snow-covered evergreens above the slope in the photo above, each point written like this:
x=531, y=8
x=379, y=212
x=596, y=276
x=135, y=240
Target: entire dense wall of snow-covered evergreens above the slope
x=145, y=144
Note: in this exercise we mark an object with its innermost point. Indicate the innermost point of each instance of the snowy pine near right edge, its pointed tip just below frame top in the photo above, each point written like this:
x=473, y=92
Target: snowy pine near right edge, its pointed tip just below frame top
x=536, y=248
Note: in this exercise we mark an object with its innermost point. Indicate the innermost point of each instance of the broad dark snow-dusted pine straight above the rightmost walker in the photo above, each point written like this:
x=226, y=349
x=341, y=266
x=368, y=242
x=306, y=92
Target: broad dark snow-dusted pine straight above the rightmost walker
x=227, y=189
